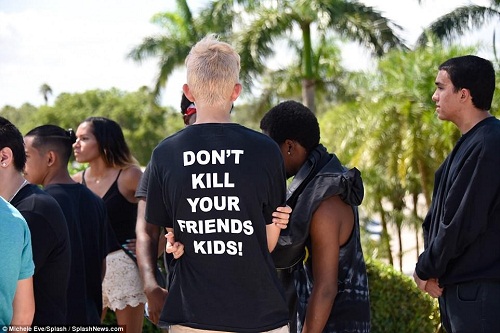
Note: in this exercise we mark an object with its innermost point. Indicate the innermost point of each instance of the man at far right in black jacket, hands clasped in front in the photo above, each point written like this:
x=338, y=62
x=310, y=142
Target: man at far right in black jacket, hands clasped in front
x=460, y=263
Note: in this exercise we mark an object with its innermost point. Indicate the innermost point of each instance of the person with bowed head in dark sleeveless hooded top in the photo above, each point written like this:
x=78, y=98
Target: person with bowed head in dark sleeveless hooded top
x=319, y=256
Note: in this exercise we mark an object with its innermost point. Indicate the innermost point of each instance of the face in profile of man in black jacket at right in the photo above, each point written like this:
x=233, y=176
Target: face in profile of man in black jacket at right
x=446, y=98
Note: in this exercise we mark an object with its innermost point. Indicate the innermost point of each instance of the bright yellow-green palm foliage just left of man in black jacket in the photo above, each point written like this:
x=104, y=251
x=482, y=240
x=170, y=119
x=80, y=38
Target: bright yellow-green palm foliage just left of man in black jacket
x=394, y=136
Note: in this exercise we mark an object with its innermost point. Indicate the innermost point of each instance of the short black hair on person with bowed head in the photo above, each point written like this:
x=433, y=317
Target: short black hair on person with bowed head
x=294, y=121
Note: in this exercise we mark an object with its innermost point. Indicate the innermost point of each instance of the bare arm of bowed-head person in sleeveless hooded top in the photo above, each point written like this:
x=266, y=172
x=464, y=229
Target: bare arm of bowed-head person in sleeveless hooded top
x=331, y=227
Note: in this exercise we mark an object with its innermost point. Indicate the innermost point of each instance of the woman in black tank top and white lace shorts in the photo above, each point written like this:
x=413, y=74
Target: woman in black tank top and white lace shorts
x=113, y=174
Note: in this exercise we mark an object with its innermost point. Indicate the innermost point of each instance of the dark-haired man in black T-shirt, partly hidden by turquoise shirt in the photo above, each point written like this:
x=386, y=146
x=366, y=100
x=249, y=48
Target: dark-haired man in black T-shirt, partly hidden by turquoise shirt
x=48, y=228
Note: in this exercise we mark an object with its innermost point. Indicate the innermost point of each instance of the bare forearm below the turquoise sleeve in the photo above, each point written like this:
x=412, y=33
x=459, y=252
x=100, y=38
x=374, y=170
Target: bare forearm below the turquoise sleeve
x=24, y=303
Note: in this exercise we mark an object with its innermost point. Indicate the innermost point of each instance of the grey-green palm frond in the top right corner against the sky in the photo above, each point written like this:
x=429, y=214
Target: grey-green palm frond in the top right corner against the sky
x=460, y=20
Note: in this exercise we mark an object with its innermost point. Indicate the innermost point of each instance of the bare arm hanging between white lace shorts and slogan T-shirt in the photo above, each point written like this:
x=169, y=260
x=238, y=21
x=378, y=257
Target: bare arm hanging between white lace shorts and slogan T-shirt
x=147, y=253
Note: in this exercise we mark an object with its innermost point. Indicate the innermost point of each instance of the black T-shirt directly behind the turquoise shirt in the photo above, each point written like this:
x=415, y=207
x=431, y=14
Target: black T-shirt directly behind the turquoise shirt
x=51, y=253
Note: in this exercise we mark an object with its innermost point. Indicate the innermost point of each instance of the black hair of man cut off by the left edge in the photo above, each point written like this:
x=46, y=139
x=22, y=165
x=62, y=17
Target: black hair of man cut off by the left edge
x=10, y=137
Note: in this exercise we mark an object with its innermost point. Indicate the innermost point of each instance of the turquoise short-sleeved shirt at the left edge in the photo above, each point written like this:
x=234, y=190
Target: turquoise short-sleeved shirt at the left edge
x=17, y=261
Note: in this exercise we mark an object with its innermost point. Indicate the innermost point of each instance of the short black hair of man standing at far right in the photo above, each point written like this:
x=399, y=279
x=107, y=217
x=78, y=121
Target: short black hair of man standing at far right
x=475, y=74
